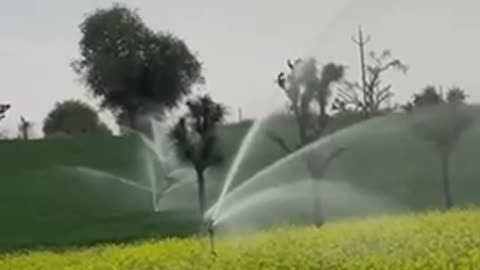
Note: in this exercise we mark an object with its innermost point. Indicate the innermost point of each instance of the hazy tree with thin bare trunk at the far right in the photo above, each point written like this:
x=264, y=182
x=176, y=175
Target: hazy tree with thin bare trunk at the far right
x=441, y=122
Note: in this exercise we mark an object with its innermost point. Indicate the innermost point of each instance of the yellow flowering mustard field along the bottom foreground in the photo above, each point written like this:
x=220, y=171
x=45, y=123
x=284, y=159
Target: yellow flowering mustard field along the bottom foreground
x=428, y=241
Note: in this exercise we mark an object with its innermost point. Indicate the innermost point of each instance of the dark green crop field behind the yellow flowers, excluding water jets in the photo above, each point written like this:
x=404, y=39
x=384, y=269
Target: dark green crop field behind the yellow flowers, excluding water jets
x=44, y=204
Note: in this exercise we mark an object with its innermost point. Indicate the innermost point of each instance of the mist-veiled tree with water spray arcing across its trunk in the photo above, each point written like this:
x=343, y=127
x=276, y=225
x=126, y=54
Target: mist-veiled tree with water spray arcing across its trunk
x=306, y=86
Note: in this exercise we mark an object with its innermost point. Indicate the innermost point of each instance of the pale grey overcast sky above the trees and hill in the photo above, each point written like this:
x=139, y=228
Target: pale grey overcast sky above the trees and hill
x=243, y=45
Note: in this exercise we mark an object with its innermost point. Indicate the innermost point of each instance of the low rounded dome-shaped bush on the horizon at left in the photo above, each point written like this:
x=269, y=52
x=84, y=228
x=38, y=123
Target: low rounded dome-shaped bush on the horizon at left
x=73, y=118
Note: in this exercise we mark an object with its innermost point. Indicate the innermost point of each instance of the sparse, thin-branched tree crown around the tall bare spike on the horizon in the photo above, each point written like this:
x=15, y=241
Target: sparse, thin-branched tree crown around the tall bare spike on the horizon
x=371, y=94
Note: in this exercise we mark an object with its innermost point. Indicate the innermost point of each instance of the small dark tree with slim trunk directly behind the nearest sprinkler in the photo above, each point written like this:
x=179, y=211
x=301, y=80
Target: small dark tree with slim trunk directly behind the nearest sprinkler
x=196, y=141
